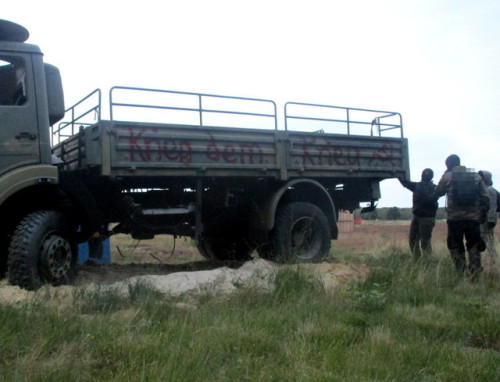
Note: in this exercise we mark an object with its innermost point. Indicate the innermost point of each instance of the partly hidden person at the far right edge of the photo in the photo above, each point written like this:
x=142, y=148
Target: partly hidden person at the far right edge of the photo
x=489, y=223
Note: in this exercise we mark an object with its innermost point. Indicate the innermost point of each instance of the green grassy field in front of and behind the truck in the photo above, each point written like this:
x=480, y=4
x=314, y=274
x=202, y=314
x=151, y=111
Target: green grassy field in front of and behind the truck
x=408, y=322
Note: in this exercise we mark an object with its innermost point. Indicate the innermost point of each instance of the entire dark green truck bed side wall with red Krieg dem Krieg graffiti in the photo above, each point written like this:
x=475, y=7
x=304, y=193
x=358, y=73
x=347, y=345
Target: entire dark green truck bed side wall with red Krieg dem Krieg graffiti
x=149, y=150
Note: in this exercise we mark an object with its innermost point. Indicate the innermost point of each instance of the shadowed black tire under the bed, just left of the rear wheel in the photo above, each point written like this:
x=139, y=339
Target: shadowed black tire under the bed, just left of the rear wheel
x=224, y=248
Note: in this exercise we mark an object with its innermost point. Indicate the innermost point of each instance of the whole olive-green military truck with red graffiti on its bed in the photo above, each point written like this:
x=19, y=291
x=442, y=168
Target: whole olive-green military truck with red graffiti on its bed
x=238, y=175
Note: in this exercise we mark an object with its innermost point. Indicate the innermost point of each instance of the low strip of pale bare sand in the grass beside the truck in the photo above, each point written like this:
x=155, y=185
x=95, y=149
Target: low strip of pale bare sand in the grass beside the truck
x=257, y=273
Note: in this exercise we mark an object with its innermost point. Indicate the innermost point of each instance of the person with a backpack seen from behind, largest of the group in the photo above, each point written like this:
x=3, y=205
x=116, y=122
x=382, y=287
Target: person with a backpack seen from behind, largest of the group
x=466, y=204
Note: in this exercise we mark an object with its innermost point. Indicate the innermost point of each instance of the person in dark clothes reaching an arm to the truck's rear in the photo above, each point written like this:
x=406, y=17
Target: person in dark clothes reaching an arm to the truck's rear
x=424, y=213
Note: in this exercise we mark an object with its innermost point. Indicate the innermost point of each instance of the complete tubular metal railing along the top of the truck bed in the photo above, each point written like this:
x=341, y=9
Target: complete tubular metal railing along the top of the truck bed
x=175, y=107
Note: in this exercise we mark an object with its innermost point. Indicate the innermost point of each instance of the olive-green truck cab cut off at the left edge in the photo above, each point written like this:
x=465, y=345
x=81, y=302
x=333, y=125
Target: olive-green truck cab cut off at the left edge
x=31, y=99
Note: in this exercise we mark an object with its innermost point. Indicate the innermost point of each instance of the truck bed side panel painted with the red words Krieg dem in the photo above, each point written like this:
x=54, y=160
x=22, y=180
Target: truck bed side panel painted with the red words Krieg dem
x=180, y=150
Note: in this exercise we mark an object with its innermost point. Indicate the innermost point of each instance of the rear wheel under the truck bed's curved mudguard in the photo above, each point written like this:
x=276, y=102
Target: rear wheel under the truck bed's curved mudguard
x=301, y=234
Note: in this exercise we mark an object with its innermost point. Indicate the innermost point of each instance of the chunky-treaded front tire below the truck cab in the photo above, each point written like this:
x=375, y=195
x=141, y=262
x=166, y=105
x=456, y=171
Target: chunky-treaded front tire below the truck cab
x=42, y=251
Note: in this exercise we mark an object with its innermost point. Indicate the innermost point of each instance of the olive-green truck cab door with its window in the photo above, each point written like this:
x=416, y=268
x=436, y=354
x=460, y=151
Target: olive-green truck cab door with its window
x=19, y=141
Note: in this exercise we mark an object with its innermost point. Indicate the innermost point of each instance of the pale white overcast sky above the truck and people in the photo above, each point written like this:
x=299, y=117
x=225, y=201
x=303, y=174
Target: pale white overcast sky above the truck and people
x=434, y=61
